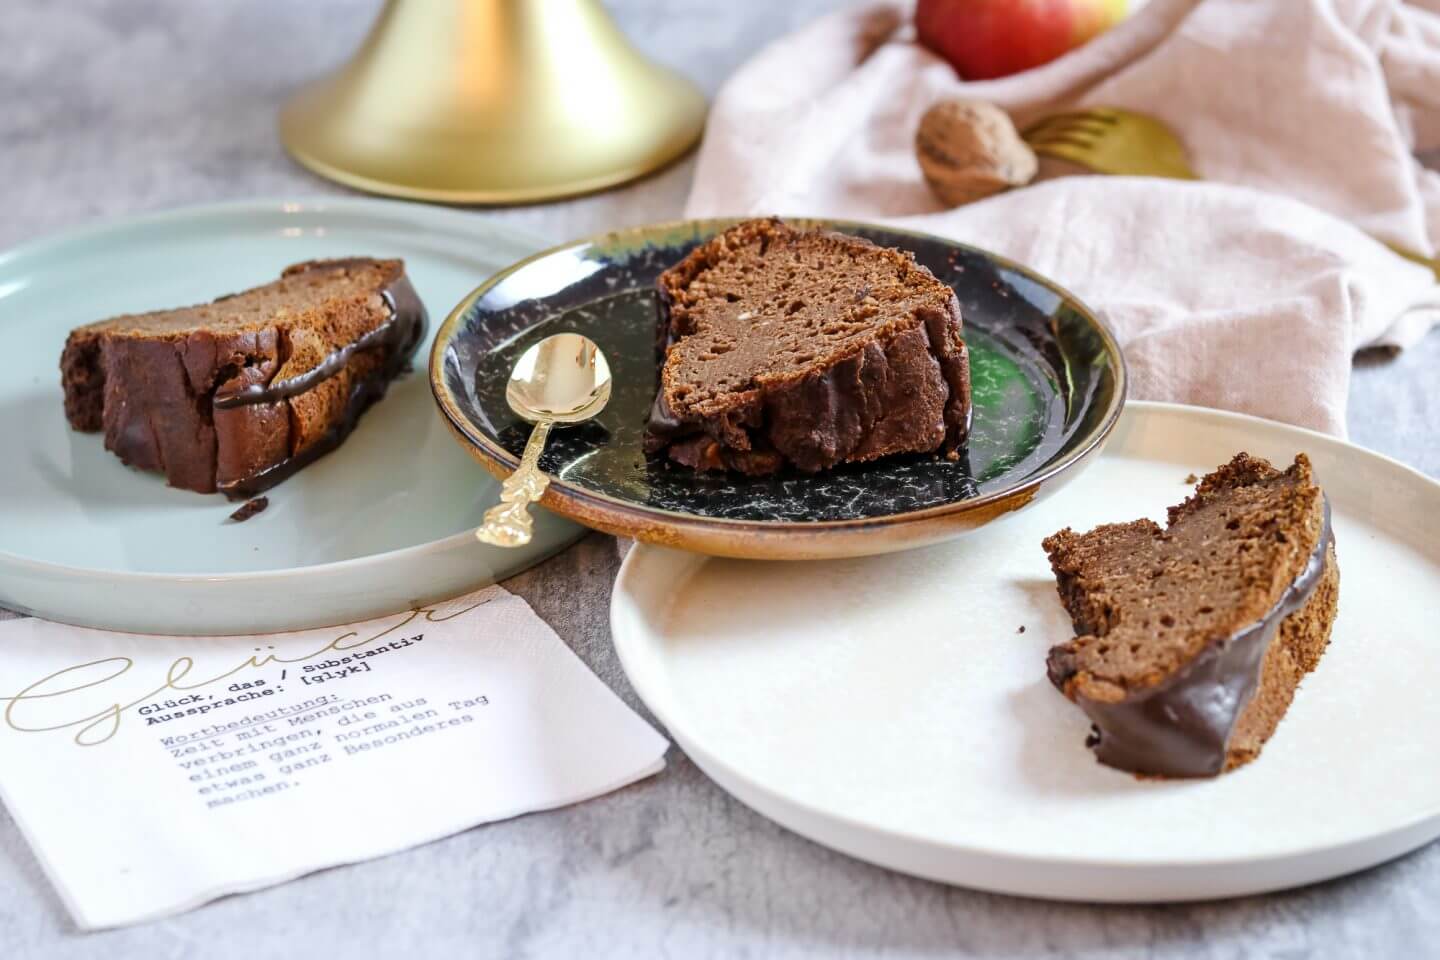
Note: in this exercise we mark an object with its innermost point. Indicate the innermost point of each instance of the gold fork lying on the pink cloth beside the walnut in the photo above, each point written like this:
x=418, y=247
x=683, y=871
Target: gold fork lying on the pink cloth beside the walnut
x=1128, y=145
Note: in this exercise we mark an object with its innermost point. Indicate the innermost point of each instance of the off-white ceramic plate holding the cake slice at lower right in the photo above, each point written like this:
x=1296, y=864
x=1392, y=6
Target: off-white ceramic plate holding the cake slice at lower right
x=891, y=709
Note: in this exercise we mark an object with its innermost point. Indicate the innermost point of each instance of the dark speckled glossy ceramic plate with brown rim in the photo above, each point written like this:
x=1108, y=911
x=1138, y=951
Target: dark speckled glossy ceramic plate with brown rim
x=1049, y=384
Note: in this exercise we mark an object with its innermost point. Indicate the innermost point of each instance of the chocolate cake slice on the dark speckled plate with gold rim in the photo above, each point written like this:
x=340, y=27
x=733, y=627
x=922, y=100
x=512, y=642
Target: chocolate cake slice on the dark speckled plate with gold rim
x=806, y=349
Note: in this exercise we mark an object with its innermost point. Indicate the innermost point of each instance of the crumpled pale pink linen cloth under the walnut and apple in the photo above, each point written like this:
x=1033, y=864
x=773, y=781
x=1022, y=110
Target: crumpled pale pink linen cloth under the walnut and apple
x=1249, y=291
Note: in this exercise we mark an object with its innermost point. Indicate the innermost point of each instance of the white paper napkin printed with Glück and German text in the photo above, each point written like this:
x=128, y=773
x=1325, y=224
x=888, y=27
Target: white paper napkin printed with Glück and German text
x=152, y=775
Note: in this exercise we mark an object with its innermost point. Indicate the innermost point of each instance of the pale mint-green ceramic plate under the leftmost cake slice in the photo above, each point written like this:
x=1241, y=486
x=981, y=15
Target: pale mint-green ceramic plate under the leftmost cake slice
x=371, y=529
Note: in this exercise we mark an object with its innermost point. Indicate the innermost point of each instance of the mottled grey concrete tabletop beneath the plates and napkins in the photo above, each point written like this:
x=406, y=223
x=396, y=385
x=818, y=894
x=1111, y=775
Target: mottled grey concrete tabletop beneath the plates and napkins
x=123, y=107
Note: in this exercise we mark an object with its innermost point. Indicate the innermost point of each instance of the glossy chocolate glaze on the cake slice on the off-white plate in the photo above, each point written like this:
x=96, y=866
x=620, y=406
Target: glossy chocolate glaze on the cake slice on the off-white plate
x=1183, y=726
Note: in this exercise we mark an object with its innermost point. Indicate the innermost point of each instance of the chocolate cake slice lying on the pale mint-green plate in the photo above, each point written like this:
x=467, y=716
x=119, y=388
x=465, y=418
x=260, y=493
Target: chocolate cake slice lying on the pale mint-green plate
x=240, y=394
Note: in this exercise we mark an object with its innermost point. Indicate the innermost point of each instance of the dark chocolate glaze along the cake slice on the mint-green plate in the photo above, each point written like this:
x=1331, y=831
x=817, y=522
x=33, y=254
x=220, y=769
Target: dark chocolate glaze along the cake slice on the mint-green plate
x=398, y=336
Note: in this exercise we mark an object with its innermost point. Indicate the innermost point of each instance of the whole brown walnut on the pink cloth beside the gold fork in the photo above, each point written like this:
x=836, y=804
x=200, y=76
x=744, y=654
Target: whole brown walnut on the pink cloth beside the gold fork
x=970, y=150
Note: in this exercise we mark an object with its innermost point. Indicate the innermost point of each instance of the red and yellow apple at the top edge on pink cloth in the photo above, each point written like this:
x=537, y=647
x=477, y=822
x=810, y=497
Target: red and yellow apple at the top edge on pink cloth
x=984, y=40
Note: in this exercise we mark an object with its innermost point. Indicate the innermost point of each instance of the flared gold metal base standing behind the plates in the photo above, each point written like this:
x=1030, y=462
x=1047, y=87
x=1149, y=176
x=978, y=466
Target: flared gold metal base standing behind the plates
x=493, y=101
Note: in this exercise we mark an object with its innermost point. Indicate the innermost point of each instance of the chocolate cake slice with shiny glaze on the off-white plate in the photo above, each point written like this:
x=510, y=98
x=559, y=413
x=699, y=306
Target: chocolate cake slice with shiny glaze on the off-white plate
x=1192, y=641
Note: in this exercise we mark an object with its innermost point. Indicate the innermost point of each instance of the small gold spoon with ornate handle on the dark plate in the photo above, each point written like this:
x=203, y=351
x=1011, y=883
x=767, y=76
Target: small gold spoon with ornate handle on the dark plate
x=562, y=379
